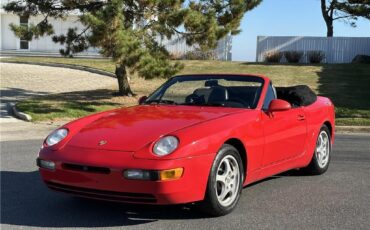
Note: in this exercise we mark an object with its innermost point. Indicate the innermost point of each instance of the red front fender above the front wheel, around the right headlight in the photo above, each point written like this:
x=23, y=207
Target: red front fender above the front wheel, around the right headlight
x=208, y=137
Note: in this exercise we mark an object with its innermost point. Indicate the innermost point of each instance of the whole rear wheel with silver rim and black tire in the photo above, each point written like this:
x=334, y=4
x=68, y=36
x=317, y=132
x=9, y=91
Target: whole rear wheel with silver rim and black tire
x=321, y=157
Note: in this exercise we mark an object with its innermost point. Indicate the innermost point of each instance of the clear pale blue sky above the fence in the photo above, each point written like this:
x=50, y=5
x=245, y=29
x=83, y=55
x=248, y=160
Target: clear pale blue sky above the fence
x=287, y=18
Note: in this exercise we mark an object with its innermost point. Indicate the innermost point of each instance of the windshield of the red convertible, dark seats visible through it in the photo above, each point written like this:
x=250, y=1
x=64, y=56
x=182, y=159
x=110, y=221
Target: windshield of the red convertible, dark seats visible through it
x=209, y=90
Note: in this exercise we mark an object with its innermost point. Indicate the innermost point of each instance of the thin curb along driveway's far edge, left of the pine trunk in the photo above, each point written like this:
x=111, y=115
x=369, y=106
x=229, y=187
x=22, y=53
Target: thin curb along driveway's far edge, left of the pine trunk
x=76, y=67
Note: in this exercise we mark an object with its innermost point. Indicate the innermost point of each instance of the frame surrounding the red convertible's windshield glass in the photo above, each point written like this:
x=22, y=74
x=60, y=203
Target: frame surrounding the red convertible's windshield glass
x=228, y=77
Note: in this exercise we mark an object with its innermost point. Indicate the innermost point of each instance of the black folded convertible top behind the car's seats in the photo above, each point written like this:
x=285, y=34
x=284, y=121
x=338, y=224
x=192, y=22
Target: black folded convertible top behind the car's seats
x=300, y=95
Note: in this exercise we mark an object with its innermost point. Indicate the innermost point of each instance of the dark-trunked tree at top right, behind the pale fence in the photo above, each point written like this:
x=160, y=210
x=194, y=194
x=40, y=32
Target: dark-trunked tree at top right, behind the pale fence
x=347, y=10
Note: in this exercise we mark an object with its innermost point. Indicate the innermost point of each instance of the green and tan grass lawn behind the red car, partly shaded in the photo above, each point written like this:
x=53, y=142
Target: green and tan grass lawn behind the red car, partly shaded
x=346, y=84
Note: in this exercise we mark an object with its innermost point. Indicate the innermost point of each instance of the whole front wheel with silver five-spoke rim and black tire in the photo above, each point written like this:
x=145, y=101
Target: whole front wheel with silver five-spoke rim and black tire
x=225, y=182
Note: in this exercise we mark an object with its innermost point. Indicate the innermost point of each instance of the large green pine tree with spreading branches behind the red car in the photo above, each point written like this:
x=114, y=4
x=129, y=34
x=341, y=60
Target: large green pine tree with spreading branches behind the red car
x=128, y=30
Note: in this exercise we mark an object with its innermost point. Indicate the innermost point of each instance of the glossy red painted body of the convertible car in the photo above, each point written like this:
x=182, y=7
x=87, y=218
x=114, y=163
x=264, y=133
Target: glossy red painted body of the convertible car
x=273, y=143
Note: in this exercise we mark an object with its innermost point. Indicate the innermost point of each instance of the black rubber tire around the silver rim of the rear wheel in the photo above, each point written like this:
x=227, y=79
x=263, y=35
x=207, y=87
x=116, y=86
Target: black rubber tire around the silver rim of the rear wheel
x=314, y=168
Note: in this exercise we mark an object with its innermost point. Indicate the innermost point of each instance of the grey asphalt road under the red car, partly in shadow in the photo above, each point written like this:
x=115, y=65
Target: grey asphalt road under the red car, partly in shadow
x=338, y=199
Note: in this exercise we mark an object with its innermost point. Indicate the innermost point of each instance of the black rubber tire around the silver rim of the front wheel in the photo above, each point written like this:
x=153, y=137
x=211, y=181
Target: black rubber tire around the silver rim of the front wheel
x=211, y=204
